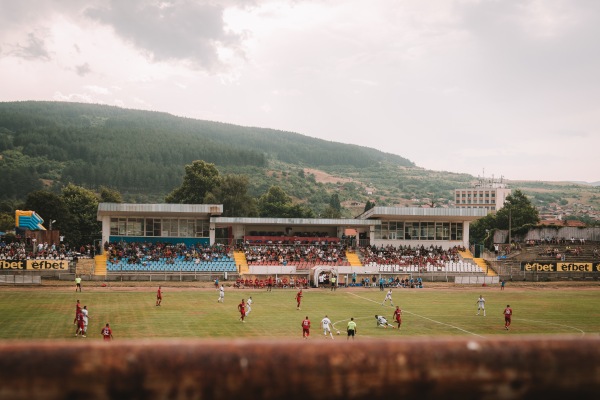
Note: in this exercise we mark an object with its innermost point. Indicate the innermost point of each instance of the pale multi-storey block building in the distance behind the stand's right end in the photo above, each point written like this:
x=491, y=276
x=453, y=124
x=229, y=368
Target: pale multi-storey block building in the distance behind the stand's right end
x=489, y=194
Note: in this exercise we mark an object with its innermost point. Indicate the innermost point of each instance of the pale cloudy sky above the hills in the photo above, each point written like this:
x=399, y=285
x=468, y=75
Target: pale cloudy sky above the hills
x=496, y=88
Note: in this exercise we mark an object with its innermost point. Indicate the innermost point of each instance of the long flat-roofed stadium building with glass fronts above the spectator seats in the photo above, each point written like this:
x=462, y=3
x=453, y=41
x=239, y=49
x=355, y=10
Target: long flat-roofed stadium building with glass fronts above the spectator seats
x=203, y=224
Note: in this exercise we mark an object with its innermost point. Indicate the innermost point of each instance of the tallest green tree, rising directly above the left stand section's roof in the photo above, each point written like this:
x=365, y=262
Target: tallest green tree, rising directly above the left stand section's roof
x=200, y=179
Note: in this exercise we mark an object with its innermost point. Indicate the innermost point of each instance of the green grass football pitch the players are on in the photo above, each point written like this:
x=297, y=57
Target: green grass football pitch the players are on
x=47, y=313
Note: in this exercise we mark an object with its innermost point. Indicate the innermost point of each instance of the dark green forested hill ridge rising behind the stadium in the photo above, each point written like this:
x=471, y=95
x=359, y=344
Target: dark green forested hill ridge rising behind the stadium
x=95, y=145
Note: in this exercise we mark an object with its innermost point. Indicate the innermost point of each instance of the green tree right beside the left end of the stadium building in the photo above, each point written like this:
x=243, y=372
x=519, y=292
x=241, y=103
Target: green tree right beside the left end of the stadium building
x=82, y=227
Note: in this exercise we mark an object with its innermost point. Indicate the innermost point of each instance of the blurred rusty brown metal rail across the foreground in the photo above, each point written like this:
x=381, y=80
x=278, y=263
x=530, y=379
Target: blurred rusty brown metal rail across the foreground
x=433, y=368
